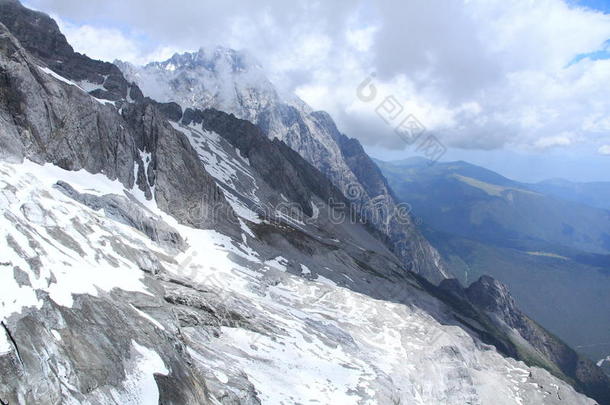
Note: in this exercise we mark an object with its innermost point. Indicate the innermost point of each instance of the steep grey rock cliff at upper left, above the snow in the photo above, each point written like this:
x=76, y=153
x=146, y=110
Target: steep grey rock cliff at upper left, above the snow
x=51, y=118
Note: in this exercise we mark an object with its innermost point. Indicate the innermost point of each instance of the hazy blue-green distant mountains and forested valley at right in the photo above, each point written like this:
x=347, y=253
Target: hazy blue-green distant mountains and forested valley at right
x=549, y=242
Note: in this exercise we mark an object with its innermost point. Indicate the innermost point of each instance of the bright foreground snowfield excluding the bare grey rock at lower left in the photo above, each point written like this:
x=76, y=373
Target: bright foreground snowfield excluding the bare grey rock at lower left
x=284, y=339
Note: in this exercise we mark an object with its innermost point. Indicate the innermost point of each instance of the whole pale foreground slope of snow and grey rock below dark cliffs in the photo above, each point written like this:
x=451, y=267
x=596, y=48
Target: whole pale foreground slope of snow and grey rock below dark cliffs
x=96, y=312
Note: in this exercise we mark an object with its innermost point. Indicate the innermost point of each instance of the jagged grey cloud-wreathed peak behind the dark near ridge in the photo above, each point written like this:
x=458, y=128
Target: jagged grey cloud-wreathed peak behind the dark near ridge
x=232, y=81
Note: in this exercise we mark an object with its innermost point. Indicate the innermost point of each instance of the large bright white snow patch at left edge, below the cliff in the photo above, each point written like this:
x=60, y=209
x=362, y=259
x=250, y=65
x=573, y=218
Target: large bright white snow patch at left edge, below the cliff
x=71, y=262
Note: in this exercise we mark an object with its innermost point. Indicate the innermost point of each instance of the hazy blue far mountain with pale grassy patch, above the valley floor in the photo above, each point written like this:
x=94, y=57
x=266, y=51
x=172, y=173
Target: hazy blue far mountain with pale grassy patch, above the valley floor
x=474, y=202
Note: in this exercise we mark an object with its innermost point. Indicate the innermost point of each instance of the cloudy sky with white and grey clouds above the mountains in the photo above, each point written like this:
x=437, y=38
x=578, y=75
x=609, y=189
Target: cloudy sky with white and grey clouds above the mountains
x=521, y=86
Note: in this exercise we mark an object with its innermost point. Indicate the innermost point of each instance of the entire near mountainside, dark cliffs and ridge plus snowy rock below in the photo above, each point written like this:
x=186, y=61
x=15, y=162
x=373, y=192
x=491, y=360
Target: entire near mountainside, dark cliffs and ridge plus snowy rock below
x=197, y=261
